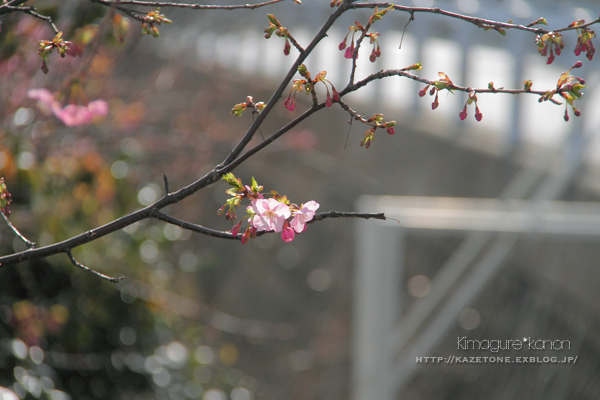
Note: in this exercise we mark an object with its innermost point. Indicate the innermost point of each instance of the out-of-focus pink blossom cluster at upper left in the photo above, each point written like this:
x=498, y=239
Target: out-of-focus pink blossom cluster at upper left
x=71, y=114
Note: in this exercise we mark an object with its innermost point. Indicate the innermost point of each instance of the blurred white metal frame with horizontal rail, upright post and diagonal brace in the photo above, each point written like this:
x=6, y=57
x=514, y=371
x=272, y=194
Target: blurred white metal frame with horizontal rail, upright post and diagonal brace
x=379, y=370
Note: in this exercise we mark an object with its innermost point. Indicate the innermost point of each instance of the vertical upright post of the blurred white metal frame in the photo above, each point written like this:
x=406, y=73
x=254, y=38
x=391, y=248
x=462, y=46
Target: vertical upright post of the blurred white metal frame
x=377, y=282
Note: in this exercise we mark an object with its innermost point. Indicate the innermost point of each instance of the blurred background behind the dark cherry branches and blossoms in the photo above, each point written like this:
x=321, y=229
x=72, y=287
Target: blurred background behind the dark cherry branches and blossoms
x=343, y=310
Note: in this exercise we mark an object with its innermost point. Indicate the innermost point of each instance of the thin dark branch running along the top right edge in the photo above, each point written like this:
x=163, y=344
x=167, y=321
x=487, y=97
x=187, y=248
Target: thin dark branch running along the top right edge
x=479, y=22
